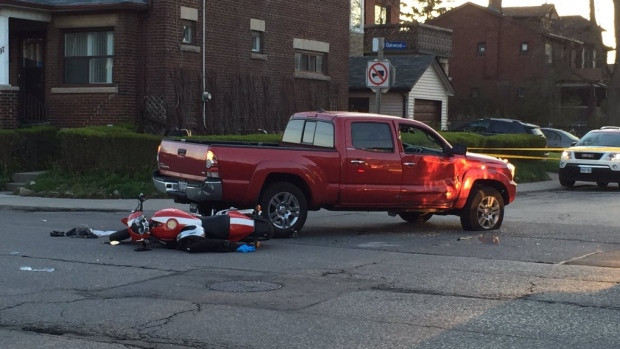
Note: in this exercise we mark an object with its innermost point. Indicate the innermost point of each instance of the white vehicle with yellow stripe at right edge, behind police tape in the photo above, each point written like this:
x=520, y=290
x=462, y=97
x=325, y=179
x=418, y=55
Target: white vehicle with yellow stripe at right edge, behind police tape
x=595, y=158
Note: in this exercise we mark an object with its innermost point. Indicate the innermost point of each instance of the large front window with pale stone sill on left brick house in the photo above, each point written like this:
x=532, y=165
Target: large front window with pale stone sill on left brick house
x=89, y=57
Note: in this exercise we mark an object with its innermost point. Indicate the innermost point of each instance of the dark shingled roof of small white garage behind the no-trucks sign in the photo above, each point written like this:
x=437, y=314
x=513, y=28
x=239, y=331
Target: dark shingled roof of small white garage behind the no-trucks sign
x=409, y=70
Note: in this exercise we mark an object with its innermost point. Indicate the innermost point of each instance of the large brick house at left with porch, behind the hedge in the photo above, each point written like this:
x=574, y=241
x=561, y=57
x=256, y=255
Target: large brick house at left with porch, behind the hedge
x=72, y=63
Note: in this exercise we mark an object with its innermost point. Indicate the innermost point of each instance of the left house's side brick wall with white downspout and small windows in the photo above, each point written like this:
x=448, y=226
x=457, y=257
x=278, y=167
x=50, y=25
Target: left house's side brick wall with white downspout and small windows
x=248, y=92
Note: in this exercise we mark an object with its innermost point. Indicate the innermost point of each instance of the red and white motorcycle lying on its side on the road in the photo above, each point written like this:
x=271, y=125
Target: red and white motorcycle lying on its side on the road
x=225, y=231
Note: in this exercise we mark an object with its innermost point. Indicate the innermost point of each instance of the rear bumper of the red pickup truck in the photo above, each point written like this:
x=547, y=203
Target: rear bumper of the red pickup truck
x=209, y=190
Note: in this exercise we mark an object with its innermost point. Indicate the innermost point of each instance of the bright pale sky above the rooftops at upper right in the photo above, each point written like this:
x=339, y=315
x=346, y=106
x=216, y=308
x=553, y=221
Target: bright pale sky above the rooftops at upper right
x=604, y=13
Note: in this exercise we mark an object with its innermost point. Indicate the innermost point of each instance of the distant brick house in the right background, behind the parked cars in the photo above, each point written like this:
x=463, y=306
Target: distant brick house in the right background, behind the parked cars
x=526, y=63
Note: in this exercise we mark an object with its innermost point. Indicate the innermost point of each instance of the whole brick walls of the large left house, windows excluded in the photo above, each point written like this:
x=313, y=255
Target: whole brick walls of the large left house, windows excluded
x=152, y=65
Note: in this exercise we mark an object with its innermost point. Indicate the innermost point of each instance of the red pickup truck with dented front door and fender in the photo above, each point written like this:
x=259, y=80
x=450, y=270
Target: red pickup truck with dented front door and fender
x=340, y=161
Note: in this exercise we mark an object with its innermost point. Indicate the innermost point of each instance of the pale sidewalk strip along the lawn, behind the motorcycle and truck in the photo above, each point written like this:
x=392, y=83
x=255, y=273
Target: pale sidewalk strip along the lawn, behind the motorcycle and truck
x=10, y=201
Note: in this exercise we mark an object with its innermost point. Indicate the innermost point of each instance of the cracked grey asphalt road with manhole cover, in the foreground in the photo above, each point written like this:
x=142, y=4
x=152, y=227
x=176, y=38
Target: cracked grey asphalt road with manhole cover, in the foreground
x=548, y=279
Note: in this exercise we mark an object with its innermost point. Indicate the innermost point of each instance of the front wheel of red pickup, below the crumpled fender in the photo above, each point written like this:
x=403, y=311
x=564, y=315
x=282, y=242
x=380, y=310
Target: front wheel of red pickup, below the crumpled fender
x=484, y=209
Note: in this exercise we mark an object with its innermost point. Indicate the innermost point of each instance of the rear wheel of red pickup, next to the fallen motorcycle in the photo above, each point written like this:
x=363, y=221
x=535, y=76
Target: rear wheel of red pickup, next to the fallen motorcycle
x=284, y=206
